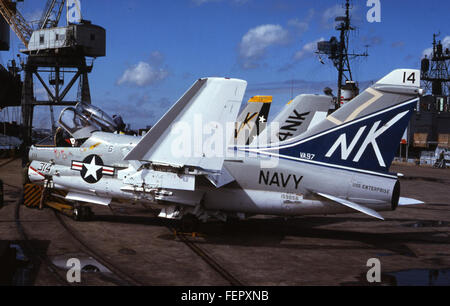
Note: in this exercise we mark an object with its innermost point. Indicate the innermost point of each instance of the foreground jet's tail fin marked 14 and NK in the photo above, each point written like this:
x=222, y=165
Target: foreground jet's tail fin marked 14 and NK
x=365, y=133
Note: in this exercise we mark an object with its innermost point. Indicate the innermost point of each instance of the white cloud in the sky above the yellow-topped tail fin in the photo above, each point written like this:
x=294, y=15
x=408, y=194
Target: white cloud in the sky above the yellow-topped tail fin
x=255, y=43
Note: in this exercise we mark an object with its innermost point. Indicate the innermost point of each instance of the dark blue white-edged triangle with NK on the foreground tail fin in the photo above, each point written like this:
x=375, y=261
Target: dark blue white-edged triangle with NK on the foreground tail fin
x=367, y=144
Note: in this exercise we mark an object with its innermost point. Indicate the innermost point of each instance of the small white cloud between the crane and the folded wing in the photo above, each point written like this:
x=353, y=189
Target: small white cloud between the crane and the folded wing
x=142, y=75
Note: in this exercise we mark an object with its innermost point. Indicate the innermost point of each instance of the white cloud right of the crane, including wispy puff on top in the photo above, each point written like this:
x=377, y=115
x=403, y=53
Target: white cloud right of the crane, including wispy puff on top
x=144, y=73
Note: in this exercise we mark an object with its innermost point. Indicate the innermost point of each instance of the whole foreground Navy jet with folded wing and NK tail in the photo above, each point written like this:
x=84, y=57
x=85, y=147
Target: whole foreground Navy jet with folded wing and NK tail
x=186, y=166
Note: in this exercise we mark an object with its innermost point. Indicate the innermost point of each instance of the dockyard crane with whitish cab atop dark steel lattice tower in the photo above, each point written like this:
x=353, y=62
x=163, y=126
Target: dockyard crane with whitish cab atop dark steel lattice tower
x=54, y=51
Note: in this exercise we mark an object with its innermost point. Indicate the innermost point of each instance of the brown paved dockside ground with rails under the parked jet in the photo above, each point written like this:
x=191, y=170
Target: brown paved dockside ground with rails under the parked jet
x=413, y=244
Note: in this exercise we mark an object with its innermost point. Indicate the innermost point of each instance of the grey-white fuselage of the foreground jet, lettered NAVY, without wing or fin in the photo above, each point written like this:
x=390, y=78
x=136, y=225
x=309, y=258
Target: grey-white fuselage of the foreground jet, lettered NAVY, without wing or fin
x=97, y=171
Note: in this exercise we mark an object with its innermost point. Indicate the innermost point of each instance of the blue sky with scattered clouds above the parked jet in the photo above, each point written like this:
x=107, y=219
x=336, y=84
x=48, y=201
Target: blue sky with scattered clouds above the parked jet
x=156, y=49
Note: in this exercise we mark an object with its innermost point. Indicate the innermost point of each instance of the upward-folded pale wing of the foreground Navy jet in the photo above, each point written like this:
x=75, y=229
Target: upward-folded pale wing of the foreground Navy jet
x=192, y=132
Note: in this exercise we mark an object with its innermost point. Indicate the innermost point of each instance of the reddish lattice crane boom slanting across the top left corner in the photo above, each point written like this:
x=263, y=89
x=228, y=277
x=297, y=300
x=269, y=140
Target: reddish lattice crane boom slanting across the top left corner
x=16, y=21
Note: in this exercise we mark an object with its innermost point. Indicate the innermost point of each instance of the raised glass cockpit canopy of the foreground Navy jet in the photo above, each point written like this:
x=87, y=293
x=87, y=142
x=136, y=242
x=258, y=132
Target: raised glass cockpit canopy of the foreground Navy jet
x=83, y=119
